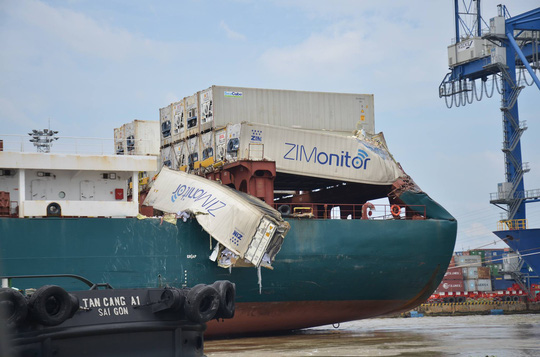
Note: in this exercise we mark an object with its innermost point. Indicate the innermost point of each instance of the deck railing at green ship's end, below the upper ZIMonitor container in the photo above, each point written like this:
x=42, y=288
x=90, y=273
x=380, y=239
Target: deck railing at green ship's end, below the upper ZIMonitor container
x=351, y=211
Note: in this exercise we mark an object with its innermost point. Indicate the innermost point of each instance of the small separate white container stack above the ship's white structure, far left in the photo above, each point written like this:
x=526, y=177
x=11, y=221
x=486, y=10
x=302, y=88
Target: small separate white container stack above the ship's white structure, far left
x=140, y=137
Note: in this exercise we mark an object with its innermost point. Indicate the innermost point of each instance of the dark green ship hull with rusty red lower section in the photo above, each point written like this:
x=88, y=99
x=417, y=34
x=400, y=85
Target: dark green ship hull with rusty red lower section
x=328, y=270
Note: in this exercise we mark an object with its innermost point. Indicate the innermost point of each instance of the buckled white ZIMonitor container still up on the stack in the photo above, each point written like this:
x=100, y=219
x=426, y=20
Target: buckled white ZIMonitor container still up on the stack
x=316, y=154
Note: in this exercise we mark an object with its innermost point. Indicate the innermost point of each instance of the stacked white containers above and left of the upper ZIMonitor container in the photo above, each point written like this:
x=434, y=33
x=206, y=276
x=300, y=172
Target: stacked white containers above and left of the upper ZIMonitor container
x=204, y=129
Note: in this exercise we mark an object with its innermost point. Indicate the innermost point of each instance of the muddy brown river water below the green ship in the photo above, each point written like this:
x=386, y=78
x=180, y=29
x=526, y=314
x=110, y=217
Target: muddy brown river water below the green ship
x=476, y=336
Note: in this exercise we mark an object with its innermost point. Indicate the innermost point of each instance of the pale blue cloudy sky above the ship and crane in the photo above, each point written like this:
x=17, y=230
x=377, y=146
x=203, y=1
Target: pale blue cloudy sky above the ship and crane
x=89, y=66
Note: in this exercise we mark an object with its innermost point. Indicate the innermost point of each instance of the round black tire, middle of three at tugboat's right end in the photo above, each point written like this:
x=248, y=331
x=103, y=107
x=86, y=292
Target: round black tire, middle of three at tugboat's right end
x=202, y=303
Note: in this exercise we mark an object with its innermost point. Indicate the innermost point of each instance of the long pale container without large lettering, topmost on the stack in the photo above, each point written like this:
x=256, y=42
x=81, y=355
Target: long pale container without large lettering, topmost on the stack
x=341, y=112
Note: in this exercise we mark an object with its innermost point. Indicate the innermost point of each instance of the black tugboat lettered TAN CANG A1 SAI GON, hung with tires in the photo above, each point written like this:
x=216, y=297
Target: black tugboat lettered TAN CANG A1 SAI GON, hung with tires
x=112, y=322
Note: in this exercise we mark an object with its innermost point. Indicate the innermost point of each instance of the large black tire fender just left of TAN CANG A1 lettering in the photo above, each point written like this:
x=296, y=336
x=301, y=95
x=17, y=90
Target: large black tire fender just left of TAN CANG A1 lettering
x=51, y=305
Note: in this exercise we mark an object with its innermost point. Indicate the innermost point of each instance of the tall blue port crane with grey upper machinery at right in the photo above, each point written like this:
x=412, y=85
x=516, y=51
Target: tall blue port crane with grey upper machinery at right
x=480, y=59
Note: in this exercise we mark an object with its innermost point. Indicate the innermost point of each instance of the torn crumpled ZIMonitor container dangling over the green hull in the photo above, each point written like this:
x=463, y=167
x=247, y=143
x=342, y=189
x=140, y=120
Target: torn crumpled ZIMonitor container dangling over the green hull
x=243, y=224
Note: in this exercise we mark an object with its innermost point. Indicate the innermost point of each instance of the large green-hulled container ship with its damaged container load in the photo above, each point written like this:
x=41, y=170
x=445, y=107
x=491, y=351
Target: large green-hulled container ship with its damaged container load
x=312, y=161
